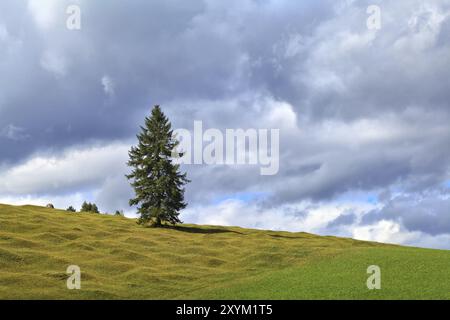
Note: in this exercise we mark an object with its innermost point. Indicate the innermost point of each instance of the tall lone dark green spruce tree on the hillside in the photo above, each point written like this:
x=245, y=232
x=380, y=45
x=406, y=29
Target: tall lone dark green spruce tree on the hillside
x=157, y=182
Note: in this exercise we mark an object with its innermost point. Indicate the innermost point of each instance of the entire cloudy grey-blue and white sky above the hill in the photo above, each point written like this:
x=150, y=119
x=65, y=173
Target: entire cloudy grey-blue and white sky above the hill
x=363, y=112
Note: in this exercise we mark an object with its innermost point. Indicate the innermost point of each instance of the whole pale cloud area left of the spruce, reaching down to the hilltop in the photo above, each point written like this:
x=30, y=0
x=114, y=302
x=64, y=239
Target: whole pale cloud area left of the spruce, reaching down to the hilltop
x=81, y=173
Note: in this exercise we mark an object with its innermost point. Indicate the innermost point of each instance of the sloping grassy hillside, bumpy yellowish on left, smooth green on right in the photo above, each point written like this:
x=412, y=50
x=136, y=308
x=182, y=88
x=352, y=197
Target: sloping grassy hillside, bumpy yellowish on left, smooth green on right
x=120, y=259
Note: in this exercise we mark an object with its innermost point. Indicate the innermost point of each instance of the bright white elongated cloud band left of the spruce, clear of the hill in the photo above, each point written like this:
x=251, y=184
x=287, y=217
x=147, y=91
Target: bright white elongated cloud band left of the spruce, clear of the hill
x=77, y=167
